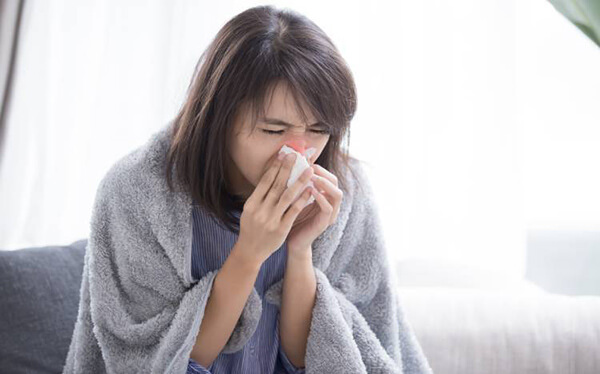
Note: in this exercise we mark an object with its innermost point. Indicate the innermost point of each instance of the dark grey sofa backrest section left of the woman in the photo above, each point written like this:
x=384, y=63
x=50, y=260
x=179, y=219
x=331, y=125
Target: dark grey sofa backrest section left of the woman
x=39, y=289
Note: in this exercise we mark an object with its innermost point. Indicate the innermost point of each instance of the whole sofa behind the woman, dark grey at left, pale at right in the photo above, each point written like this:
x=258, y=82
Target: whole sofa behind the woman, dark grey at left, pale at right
x=466, y=322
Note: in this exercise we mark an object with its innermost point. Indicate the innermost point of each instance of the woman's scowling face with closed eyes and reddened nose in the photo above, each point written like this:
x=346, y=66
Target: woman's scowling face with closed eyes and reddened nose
x=251, y=152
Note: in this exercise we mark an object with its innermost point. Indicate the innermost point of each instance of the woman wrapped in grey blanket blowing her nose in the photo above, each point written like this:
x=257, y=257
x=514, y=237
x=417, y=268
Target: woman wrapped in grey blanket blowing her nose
x=202, y=259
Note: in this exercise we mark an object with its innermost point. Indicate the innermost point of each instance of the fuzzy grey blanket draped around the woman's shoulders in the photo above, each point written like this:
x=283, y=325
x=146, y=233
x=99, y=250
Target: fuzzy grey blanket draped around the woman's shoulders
x=140, y=310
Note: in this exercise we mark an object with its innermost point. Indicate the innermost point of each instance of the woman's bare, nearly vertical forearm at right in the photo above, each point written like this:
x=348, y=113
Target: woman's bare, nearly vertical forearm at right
x=298, y=298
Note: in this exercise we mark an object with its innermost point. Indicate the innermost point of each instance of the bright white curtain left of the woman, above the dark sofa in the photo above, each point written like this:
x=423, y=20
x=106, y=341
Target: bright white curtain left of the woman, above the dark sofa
x=94, y=80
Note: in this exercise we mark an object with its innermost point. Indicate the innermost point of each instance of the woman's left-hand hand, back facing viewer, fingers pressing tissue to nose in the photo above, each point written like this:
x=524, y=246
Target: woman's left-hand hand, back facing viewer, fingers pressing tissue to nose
x=266, y=221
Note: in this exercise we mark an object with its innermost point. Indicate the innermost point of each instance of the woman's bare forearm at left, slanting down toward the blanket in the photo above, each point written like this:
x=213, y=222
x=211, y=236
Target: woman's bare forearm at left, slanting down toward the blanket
x=228, y=296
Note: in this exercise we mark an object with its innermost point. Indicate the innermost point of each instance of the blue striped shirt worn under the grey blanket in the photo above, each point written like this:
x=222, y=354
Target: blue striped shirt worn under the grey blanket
x=263, y=353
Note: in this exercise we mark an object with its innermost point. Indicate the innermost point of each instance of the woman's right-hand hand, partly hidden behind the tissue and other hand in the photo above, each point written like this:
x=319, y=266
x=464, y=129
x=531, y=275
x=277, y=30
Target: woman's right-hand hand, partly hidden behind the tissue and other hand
x=302, y=234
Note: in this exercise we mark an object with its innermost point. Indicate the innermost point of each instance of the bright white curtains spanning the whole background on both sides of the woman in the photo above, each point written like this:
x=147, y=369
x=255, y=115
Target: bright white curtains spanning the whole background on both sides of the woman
x=475, y=117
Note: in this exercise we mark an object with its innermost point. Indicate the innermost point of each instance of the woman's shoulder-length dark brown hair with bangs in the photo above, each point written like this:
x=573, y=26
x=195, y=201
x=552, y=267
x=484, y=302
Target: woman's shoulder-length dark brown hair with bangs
x=247, y=58
